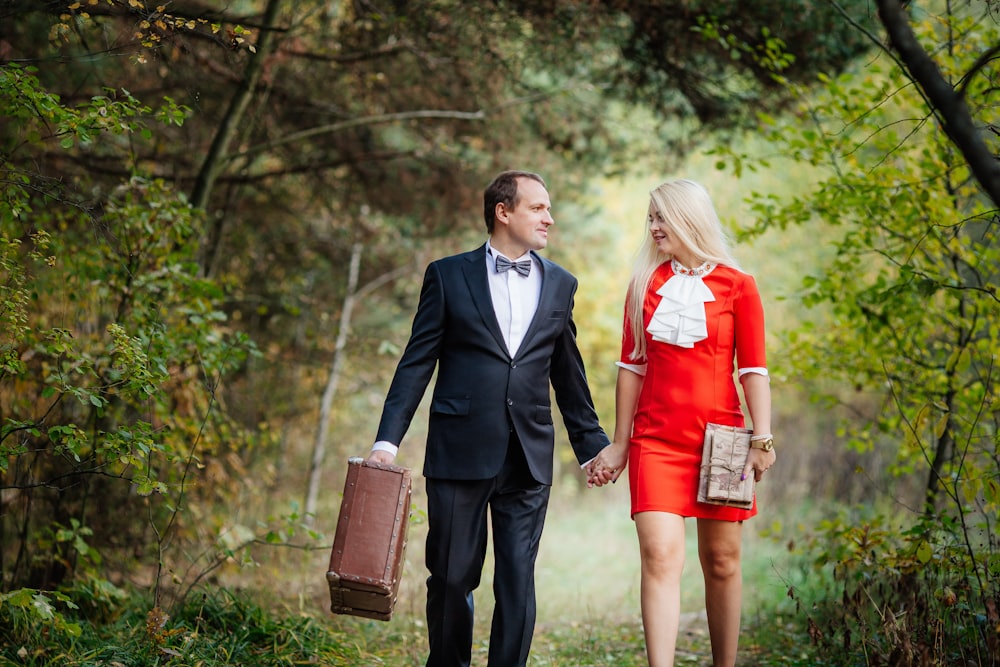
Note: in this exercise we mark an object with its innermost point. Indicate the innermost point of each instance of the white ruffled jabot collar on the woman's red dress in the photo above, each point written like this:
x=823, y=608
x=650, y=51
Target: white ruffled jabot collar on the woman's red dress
x=679, y=319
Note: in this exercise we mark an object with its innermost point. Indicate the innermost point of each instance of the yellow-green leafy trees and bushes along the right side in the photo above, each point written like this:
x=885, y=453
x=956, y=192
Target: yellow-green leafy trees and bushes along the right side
x=906, y=318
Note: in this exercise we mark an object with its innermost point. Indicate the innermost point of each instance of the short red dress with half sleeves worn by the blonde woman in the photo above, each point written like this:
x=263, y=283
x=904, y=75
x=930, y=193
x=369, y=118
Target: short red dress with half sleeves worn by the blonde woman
x=686, y=387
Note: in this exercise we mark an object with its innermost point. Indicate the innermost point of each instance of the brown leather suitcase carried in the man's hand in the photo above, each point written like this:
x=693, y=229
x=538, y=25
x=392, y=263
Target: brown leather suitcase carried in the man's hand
x=367, y=559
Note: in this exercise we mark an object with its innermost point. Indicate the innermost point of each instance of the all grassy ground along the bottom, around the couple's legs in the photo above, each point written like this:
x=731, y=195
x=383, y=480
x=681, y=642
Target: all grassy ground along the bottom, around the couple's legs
x=588, y=608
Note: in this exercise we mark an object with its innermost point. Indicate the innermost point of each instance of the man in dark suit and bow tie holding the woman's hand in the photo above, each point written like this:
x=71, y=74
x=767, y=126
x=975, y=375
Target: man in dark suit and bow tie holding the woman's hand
x=497, y=322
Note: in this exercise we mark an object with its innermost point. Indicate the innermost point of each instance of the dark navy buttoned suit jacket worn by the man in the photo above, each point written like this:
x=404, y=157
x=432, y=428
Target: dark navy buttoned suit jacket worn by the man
x=481, y=391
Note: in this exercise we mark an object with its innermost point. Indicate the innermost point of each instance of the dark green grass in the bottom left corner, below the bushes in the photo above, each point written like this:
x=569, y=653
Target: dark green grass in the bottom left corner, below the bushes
x=211, y=629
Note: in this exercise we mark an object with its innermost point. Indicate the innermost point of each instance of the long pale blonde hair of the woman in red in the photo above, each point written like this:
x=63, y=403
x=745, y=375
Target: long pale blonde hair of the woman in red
x=690, y=217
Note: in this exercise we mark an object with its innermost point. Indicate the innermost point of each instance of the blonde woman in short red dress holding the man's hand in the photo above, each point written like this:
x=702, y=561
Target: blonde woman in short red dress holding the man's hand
x=689, y=313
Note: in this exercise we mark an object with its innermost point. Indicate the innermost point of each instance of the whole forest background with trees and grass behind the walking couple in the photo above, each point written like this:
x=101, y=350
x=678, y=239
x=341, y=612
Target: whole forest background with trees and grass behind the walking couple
x=214, y=223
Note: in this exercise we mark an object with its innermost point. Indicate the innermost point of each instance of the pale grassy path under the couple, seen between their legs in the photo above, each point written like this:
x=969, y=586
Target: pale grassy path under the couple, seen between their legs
x=588, y=595
